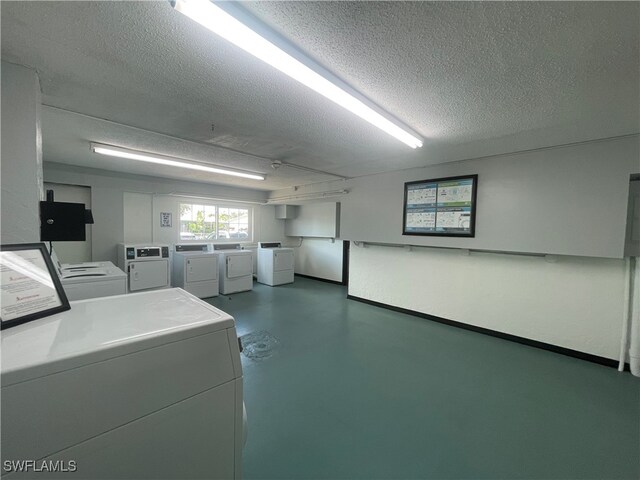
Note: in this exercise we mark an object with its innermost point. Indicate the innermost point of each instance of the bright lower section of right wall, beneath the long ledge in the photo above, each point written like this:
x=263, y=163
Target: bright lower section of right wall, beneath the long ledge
x=575, y=303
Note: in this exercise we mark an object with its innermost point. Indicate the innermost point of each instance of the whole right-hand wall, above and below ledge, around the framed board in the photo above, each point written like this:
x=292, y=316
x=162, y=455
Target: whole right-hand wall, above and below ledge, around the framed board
x=568, y=201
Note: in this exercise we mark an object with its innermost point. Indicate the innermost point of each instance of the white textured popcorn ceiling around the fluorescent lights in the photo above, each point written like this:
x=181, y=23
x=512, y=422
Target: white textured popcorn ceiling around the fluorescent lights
x=474, y=78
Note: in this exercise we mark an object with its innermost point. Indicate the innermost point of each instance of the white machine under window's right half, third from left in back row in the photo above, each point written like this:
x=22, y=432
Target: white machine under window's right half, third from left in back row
x=236, y=268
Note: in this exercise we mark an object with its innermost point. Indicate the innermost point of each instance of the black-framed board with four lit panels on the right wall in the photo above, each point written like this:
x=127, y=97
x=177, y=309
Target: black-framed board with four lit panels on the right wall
x=441, y=206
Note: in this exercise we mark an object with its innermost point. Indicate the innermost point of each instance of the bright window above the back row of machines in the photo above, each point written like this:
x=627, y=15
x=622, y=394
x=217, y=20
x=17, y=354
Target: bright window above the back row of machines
x=215, y=222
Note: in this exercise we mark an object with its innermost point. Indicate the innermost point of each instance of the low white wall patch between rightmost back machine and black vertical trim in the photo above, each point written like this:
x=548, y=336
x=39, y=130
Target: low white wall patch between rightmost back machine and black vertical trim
x=320, y=258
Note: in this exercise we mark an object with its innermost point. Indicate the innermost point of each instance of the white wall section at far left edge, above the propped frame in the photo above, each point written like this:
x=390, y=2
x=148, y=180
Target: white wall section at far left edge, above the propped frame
x=21, y=166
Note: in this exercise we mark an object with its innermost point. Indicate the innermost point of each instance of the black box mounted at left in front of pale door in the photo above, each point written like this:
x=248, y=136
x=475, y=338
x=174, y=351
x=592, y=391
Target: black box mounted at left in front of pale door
x=62, y=221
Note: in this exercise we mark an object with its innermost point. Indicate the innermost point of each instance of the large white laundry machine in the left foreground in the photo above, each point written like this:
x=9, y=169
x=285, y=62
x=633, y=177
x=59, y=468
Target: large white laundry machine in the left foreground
x=145, y=385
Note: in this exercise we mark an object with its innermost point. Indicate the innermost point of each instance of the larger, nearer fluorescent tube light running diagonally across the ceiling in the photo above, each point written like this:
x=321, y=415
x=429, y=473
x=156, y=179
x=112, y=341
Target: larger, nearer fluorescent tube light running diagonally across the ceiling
x=220, y=22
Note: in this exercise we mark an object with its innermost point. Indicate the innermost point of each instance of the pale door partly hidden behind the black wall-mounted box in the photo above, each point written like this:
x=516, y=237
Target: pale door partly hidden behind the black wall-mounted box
x=72, y=252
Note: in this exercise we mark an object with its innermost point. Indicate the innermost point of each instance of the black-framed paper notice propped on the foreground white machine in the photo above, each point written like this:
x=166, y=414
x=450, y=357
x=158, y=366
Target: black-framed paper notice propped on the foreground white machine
x=30, y=287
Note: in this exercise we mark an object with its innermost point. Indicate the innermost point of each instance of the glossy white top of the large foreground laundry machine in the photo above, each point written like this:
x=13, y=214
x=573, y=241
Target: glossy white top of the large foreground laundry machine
x=101, y=328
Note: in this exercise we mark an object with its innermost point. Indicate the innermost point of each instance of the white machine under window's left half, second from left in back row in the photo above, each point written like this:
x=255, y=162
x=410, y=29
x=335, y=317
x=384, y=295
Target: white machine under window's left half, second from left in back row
x=195, y=269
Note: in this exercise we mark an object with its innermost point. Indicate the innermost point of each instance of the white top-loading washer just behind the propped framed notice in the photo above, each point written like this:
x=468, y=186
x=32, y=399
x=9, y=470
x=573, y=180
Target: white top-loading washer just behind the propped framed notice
x=92, y=280
